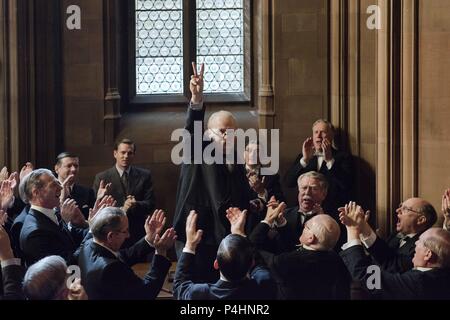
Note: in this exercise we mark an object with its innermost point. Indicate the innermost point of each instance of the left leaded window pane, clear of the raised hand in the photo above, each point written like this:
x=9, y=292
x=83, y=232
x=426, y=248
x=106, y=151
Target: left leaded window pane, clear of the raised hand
x=159, y=47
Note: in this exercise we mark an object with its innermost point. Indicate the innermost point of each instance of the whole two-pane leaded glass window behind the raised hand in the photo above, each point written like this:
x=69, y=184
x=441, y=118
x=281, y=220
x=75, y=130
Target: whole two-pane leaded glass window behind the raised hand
x=165, y=46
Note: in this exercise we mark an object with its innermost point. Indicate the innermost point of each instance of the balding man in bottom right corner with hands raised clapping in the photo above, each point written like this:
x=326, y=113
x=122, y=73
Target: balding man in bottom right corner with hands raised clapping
x=429, y=279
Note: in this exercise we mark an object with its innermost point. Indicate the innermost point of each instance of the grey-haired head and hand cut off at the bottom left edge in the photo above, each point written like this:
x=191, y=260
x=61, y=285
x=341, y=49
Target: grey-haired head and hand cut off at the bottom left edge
x=47, y=279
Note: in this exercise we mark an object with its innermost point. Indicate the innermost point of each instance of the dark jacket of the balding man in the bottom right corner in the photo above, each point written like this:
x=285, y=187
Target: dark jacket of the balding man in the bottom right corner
x=413, y=284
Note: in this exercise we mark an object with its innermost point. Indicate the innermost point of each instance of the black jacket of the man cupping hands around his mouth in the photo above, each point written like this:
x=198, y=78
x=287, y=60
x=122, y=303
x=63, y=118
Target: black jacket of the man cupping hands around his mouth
x=340, y=179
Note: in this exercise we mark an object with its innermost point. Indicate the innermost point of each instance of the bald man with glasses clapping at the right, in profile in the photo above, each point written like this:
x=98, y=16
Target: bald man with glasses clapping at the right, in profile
x=414, y=217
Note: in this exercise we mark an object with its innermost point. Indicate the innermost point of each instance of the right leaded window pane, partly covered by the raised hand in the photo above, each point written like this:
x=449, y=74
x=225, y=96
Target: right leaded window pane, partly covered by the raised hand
x=220, y=44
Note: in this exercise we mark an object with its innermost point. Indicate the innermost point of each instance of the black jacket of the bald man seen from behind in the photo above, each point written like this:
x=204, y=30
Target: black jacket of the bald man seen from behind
x=305, y=274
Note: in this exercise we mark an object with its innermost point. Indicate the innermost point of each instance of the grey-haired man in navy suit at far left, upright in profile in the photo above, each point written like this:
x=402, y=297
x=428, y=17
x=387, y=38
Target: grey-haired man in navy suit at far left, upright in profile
x=44, y=232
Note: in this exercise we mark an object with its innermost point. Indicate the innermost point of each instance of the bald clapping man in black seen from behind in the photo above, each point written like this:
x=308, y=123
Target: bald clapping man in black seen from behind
x=314, y=270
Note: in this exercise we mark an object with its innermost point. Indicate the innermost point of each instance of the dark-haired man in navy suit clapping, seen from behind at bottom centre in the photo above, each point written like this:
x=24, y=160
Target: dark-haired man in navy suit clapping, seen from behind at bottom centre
x=239, y=280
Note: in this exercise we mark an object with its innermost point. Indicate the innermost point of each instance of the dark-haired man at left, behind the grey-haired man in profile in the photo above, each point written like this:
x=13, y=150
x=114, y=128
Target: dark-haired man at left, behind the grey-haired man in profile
x=67, y=164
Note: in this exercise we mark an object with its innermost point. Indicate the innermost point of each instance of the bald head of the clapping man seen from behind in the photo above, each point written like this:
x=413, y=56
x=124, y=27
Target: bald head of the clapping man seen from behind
x=321, y=232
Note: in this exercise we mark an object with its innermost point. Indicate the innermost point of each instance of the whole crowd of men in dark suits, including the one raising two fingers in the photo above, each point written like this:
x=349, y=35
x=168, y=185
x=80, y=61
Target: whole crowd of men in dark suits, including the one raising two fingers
x=233, y=233
